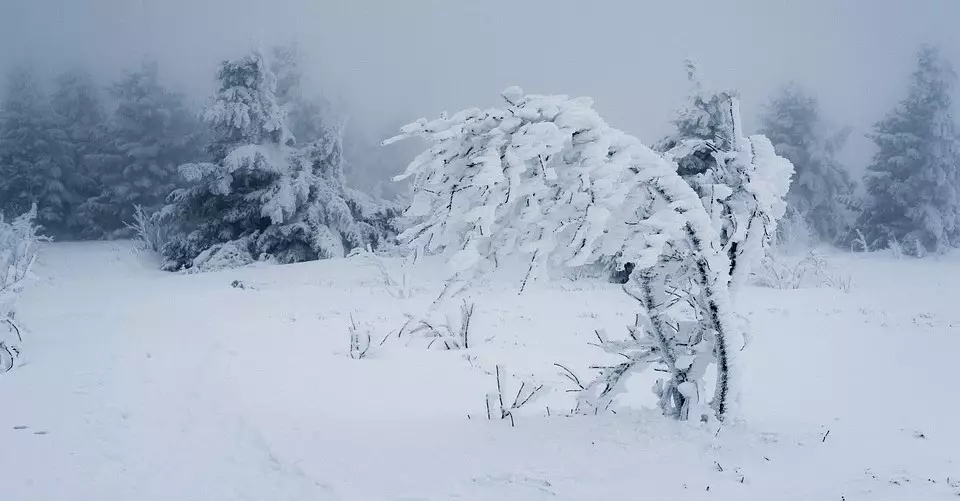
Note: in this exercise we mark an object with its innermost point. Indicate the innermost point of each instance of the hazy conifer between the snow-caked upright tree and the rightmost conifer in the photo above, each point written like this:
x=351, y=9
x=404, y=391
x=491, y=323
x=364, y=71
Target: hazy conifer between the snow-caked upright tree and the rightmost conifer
x=822, y=190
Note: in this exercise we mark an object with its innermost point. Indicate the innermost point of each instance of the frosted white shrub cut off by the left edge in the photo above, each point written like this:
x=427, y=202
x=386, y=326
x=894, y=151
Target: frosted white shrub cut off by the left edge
x=18, y=251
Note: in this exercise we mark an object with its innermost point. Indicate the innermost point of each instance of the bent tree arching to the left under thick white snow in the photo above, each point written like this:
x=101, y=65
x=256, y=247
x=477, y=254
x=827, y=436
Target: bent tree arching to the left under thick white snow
x=547, y=177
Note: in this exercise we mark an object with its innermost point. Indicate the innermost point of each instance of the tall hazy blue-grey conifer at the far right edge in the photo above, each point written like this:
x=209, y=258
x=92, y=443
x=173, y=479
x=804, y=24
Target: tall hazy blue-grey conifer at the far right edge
x=913, y=184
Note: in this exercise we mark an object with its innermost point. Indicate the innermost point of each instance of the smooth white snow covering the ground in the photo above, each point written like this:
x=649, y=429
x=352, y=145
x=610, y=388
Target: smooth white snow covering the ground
x=144, y=385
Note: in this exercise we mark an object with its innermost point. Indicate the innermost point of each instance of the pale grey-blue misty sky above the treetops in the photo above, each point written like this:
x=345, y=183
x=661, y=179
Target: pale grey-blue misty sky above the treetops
x=388, y=61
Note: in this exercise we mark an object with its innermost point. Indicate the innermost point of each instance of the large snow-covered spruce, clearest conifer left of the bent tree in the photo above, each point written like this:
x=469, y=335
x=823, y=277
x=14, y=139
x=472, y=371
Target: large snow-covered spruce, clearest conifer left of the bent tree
x=261, y=197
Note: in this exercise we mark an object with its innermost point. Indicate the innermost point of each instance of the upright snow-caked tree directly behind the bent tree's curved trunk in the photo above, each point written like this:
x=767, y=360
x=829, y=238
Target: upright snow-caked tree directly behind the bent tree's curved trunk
x=740, y=179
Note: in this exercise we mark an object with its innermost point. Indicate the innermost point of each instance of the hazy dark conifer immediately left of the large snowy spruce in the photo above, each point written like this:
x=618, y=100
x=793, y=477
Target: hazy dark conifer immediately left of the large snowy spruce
x=151, y=132
